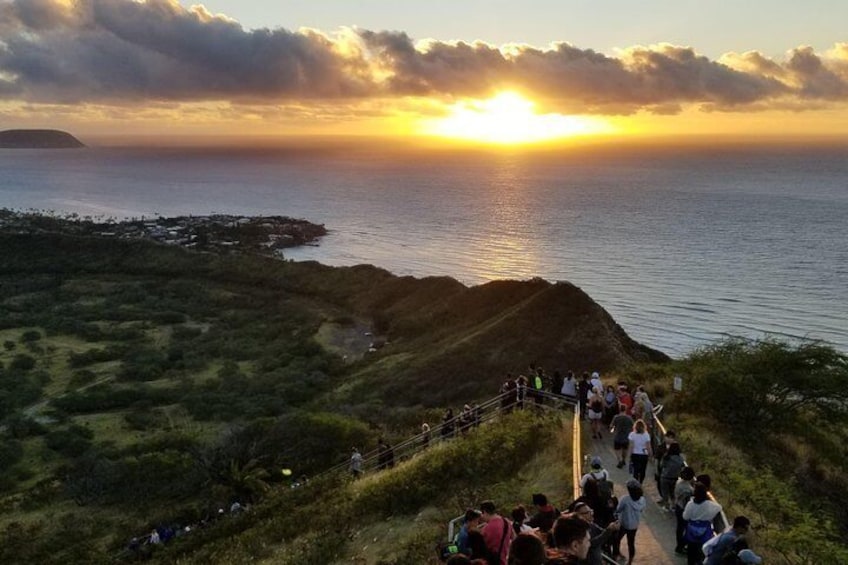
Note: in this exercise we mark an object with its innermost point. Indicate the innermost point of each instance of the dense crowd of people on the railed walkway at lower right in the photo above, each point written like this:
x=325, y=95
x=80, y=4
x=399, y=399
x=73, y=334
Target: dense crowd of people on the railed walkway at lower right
x=598, y=521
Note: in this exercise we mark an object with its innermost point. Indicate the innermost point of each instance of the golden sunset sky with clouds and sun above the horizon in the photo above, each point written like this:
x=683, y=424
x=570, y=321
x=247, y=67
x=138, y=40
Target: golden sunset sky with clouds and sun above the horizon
x=494, y=70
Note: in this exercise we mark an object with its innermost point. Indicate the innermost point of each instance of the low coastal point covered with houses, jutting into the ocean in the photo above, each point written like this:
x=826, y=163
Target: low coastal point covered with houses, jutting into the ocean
x=217, y=232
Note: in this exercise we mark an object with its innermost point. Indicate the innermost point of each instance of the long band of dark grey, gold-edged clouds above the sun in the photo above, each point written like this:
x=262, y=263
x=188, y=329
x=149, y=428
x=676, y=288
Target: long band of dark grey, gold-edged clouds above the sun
x=125, y=52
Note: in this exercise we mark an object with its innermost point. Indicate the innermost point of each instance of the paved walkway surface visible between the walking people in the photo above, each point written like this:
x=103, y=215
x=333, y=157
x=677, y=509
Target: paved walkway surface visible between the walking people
x=655, y=538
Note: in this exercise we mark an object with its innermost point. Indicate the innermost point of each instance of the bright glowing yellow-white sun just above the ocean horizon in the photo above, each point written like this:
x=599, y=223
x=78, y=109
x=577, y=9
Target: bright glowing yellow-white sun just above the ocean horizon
x=510, y=119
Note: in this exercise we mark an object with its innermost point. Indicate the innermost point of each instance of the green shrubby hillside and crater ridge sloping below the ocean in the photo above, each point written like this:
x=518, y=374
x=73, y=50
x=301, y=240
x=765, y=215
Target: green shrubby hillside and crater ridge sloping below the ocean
x=143, y=385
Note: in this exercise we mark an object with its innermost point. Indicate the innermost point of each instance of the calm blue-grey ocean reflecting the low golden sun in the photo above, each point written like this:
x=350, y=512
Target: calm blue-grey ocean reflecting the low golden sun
x=683, y=246
